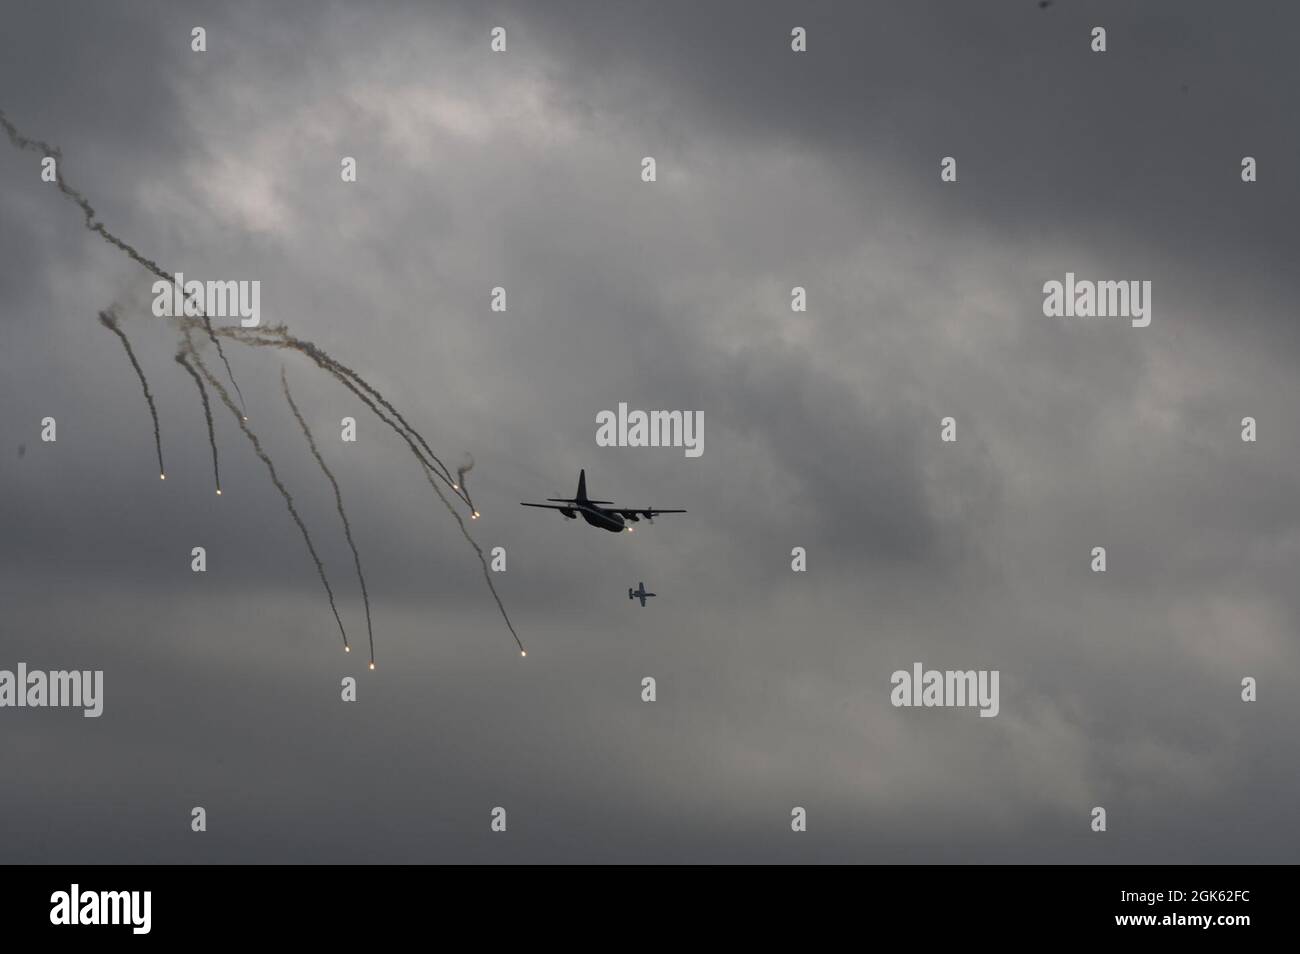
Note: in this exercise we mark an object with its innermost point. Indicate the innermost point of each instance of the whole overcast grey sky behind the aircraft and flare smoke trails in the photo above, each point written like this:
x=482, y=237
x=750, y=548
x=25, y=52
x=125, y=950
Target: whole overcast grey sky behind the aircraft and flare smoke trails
x=822, y=430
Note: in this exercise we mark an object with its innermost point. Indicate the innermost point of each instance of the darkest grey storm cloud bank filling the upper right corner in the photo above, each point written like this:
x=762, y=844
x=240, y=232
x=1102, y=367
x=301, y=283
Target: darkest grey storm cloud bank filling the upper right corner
x=1016, y=92
